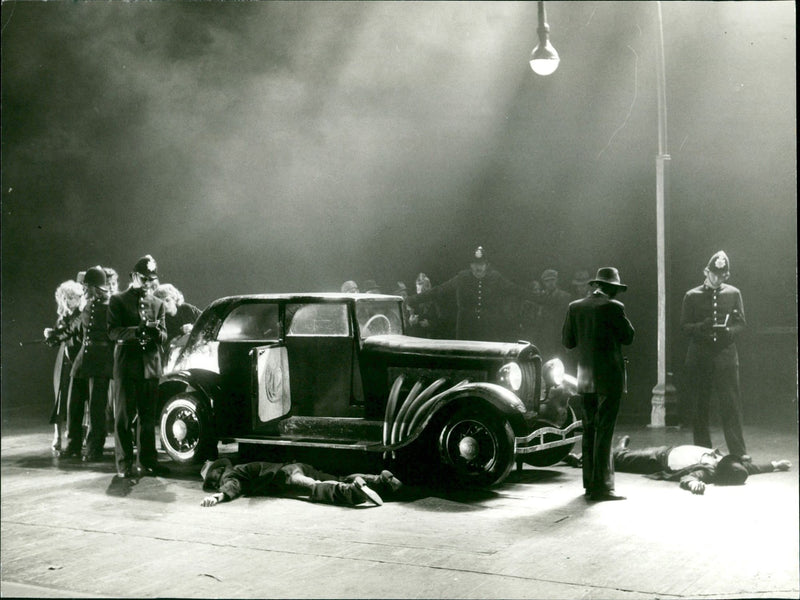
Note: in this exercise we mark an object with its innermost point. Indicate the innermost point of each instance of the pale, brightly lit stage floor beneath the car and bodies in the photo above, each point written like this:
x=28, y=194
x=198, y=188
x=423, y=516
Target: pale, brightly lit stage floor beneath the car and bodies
x=75, y=530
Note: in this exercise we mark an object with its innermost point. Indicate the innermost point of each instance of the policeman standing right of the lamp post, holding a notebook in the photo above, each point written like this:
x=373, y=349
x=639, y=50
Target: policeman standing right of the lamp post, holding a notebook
x=712, y=315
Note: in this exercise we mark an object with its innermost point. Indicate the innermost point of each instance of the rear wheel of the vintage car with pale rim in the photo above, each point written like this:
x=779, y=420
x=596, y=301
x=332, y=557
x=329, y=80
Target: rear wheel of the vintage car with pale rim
x=185, y=429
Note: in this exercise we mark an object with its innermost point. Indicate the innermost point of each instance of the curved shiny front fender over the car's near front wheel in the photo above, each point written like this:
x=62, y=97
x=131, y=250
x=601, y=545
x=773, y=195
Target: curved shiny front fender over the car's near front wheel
x=422, y=408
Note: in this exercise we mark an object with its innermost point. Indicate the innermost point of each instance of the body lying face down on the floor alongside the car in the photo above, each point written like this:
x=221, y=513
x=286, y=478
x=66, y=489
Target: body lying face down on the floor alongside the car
x=228, y=482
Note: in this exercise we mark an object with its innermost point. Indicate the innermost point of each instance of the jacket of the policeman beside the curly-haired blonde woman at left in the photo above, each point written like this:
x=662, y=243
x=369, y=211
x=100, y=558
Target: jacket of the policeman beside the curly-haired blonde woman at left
x=96, y=356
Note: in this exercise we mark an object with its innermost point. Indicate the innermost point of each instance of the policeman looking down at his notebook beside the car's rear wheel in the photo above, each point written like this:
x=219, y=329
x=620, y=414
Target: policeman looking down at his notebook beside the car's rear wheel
x=136, y=324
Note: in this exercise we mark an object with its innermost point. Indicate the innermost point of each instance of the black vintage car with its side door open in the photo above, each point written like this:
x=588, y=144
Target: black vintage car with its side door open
x=336, y=372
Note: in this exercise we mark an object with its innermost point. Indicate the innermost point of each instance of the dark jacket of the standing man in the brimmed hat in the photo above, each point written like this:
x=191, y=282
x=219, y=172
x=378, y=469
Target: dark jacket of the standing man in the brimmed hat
x=598, y=328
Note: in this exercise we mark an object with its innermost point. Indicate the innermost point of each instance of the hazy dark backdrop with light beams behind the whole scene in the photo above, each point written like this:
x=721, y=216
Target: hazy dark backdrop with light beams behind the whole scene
x=288, y=146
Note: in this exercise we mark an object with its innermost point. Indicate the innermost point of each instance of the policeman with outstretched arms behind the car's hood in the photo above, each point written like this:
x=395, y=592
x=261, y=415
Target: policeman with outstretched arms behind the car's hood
x=480, y=293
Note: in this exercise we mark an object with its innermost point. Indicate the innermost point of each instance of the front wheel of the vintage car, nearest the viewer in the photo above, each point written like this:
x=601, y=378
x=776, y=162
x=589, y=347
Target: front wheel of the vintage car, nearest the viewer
x=476, y=447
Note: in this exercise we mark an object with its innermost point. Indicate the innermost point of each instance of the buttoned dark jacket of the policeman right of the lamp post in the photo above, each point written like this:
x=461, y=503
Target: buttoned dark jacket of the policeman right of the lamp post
x=702, y=308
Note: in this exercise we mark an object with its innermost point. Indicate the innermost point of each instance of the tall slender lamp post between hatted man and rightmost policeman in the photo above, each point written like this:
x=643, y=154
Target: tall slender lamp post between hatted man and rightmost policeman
x=664, y=390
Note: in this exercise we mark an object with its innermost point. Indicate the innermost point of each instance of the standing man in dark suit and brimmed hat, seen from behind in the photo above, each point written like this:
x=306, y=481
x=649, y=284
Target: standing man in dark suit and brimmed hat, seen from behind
x=597, y=327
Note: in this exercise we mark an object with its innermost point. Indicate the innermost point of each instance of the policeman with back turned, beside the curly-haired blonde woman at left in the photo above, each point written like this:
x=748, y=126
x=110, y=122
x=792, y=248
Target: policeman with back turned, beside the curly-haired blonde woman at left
x=91, y=371
